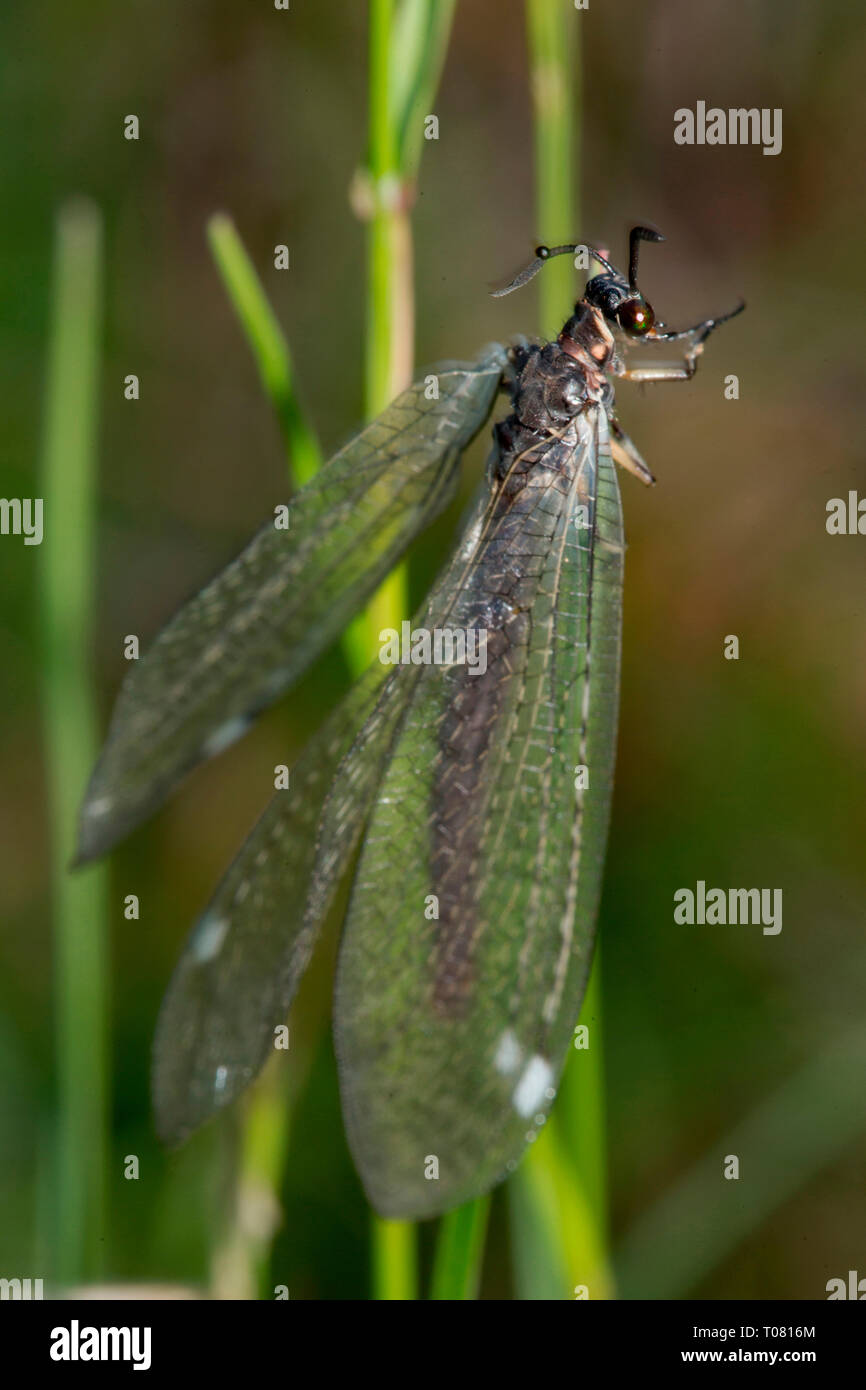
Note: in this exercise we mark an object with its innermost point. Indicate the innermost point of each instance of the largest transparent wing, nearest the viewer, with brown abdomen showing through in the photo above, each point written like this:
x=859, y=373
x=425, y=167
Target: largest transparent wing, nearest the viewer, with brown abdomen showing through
x=471, y=929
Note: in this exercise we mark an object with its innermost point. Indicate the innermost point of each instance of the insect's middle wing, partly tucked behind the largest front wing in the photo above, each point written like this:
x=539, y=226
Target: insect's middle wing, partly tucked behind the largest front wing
x=244, y=961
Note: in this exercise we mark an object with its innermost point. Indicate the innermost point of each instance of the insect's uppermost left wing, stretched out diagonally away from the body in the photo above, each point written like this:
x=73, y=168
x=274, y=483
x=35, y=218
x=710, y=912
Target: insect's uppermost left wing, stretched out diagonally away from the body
x=236, y=647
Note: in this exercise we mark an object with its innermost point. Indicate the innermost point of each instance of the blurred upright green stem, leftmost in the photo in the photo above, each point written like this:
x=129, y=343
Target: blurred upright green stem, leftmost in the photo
x=67, y=587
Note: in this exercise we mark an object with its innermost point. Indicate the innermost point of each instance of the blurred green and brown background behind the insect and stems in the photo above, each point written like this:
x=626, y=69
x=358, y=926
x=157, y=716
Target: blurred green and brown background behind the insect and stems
x=743, y=774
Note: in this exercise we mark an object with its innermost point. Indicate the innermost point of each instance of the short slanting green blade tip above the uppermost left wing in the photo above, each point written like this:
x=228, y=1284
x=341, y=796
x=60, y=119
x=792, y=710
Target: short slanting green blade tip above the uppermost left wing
x=268, y=344
